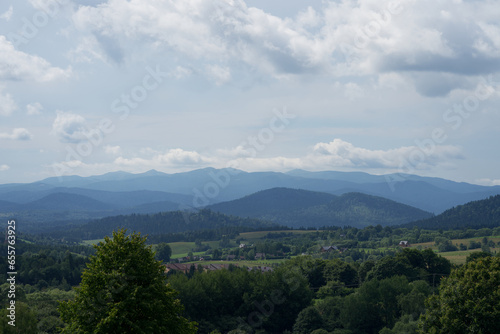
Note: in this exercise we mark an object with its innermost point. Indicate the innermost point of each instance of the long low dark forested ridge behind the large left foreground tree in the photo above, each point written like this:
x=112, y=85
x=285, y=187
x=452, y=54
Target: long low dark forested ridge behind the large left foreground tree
x=162, y=223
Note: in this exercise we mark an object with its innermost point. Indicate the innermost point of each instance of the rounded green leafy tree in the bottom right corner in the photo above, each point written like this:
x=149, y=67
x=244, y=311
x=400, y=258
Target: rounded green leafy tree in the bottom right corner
x=468, y=301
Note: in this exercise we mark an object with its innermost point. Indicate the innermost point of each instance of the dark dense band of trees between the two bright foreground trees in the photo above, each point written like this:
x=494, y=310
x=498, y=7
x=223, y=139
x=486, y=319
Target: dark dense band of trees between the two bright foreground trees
x=306, y=294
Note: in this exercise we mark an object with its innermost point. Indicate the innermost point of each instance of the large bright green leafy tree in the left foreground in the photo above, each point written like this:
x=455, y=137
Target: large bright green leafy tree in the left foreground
x=123, y=290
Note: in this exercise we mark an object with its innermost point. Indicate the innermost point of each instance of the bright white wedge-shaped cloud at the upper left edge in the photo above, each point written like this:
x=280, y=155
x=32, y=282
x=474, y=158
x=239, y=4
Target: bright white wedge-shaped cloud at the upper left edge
x=17, y=65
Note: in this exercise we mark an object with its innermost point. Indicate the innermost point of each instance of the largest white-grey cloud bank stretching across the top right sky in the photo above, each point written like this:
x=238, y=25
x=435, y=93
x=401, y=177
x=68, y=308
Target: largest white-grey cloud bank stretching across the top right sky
x=355, y=38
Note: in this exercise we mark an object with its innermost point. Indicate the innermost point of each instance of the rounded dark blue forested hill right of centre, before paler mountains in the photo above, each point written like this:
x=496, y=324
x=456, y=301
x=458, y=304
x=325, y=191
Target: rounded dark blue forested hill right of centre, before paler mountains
x=296, y=208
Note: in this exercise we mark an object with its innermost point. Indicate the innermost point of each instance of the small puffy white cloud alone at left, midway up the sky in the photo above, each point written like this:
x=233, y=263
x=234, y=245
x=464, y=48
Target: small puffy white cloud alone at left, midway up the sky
x=69, y=127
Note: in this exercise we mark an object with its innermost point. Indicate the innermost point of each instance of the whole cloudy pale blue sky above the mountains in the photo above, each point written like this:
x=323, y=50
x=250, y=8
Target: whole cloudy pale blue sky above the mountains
x=91, y=87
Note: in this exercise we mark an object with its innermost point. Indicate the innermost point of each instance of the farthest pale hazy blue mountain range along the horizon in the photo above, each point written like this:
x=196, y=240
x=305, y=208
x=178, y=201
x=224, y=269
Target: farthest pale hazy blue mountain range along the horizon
x=208, y=186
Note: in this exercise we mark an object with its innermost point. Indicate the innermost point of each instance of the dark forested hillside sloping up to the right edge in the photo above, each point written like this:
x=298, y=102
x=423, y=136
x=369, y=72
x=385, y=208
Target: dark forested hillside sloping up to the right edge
x=476, y=214
